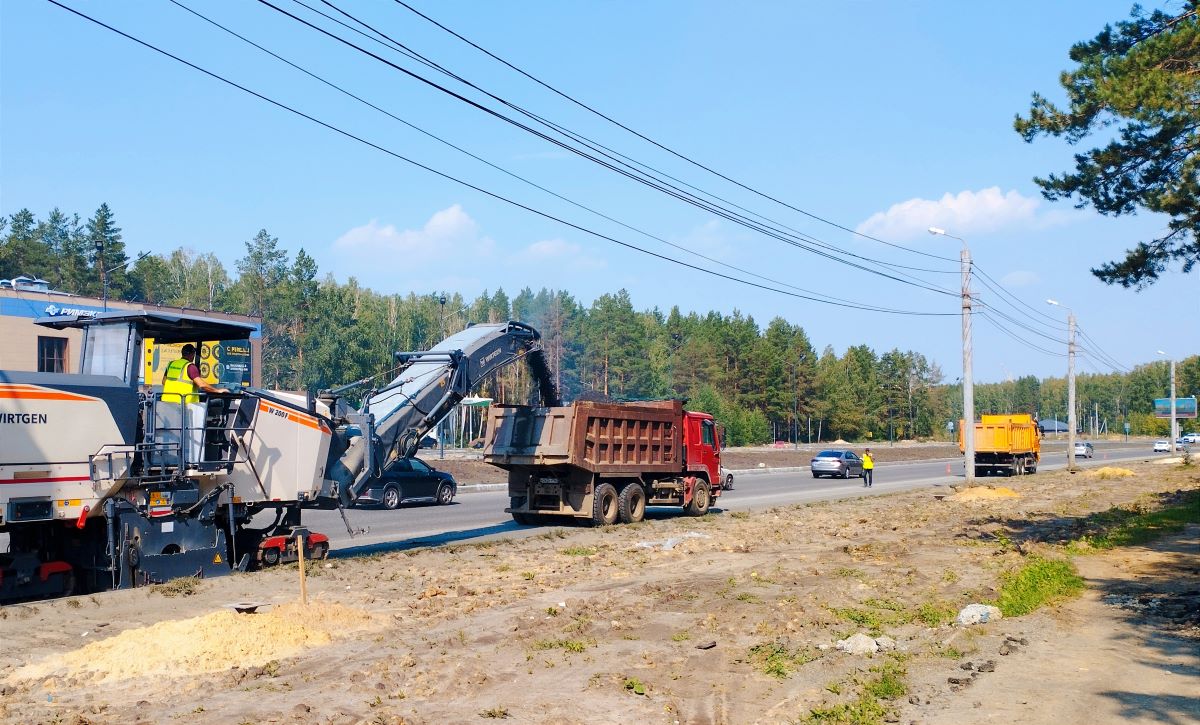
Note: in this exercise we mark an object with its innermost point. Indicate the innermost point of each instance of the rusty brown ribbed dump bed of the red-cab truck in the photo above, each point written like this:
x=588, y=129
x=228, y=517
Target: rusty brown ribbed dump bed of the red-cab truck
x=611, y=440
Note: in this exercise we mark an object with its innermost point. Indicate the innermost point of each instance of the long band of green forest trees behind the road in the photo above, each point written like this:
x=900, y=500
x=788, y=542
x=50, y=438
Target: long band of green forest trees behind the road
x=764, y=384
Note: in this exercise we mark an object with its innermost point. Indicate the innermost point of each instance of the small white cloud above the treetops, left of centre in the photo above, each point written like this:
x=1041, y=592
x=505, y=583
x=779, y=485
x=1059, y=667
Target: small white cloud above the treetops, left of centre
x=449, y=231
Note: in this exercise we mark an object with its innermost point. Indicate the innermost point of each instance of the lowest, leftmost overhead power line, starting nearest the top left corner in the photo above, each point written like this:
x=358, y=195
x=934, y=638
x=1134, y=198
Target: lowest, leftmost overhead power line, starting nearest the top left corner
x=466, y=184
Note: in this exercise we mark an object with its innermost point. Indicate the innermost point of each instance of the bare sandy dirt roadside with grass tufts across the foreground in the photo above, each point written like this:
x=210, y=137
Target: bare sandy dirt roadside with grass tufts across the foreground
x=730, y=619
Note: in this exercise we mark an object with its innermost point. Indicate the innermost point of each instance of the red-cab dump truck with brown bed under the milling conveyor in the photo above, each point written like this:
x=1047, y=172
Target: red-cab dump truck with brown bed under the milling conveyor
x=605, y=462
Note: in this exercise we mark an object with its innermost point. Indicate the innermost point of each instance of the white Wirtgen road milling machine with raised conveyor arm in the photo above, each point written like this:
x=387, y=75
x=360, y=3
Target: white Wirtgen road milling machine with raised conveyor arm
x=104, y=484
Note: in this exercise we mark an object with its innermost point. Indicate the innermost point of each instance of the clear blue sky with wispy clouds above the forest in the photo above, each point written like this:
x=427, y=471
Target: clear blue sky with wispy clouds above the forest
x=883, y=117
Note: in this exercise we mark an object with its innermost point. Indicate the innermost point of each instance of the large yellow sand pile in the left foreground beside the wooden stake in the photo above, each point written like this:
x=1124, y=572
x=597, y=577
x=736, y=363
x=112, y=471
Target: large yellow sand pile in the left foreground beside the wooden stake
x=209, y=644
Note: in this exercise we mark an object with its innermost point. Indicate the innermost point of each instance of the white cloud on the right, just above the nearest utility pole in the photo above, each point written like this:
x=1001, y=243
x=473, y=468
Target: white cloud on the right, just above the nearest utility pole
x=963, y=214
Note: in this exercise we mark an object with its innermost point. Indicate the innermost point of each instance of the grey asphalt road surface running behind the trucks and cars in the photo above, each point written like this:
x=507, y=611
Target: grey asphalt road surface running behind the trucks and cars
x=481, y=516
